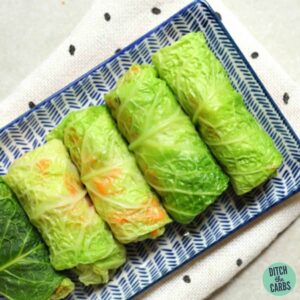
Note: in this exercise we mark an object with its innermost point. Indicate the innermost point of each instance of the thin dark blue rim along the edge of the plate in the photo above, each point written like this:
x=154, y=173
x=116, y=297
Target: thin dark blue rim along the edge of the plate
x=250, y=69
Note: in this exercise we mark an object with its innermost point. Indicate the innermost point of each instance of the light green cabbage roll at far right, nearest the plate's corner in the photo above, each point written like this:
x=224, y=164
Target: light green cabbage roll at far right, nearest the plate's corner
x=246, y=153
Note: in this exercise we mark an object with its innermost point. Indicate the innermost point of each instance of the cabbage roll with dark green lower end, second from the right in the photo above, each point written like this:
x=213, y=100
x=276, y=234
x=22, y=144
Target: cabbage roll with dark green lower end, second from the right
x=169, y=151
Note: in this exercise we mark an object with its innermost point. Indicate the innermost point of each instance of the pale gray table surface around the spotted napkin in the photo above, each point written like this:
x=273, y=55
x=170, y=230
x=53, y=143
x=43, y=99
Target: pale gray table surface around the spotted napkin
x=32, y=29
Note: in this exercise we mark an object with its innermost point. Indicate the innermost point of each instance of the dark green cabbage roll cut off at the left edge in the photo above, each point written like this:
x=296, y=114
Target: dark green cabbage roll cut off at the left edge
x=25, y=269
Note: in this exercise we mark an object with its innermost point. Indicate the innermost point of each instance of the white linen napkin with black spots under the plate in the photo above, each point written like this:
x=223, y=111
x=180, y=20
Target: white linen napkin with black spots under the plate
x=111, y=25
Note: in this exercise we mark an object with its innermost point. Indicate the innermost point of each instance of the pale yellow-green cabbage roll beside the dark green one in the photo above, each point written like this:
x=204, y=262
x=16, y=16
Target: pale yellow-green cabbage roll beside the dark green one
x=48, y=186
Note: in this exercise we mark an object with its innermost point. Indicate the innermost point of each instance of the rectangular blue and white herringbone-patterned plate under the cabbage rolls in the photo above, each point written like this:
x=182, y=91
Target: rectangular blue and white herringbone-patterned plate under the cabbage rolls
x=150, y=261
